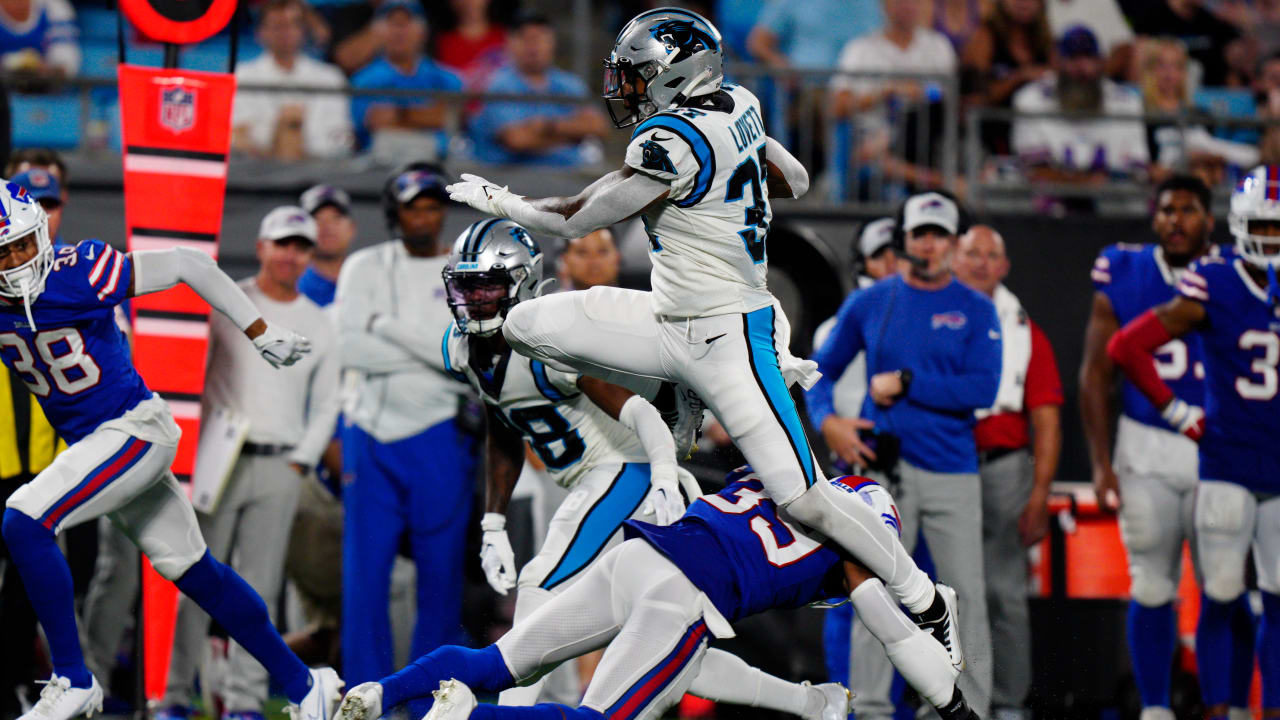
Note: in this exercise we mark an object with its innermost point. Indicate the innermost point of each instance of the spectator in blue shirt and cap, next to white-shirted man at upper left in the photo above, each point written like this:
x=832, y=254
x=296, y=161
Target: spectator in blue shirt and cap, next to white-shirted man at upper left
x=404, y=66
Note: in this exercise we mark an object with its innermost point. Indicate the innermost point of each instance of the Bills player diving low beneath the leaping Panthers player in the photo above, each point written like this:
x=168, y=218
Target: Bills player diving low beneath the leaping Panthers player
x=659, y=600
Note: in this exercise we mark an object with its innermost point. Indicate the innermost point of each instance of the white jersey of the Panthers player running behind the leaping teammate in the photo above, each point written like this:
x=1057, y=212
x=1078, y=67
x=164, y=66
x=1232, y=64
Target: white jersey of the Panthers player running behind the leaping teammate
x=570, y=434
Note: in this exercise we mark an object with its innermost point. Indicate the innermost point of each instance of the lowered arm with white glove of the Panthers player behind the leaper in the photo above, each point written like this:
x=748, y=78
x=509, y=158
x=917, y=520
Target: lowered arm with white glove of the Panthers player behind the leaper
x=504, y=459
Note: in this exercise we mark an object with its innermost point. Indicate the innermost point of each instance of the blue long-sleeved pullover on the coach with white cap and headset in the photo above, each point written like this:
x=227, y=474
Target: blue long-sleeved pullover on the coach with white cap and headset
x=950, y=341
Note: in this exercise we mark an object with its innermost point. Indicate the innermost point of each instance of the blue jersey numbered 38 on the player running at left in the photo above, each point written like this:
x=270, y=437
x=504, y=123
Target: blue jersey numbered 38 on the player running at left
x=76, y=361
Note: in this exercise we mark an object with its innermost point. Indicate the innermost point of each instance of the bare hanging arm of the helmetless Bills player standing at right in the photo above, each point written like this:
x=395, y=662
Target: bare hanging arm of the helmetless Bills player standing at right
x=1098, y=377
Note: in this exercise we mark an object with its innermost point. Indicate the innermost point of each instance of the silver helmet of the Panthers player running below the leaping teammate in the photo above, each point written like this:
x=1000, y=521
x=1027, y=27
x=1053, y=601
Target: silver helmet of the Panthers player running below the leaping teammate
x=495, y=265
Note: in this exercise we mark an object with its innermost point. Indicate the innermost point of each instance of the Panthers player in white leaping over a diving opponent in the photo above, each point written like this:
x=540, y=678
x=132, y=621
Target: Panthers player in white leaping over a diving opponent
x=701, y=171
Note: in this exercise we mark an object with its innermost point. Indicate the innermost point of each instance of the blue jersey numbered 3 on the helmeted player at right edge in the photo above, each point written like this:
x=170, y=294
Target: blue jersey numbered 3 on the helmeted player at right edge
x=1242, y=350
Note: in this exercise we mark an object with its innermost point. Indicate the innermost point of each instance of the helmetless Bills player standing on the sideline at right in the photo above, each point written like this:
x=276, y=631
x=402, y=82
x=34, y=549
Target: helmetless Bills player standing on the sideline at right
x=1154, y=467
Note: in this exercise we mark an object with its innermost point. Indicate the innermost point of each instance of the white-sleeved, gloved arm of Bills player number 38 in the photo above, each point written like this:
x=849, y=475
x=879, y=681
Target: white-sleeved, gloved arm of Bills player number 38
x=161, y=270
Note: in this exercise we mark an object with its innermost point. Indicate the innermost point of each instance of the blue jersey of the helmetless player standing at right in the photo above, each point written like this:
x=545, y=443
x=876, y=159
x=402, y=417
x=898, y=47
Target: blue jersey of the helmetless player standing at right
x=1136, y=279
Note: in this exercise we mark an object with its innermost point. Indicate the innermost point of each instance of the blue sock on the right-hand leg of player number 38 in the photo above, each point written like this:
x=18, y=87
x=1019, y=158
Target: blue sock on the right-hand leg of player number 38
x=237, y=608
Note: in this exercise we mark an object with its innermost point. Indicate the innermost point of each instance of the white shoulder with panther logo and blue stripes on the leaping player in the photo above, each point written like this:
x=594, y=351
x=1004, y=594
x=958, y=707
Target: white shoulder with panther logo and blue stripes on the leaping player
x=670, y=147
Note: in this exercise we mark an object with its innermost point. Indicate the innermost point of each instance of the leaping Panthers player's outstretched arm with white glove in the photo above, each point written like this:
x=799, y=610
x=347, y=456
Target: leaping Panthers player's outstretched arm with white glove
x=611, y=199
